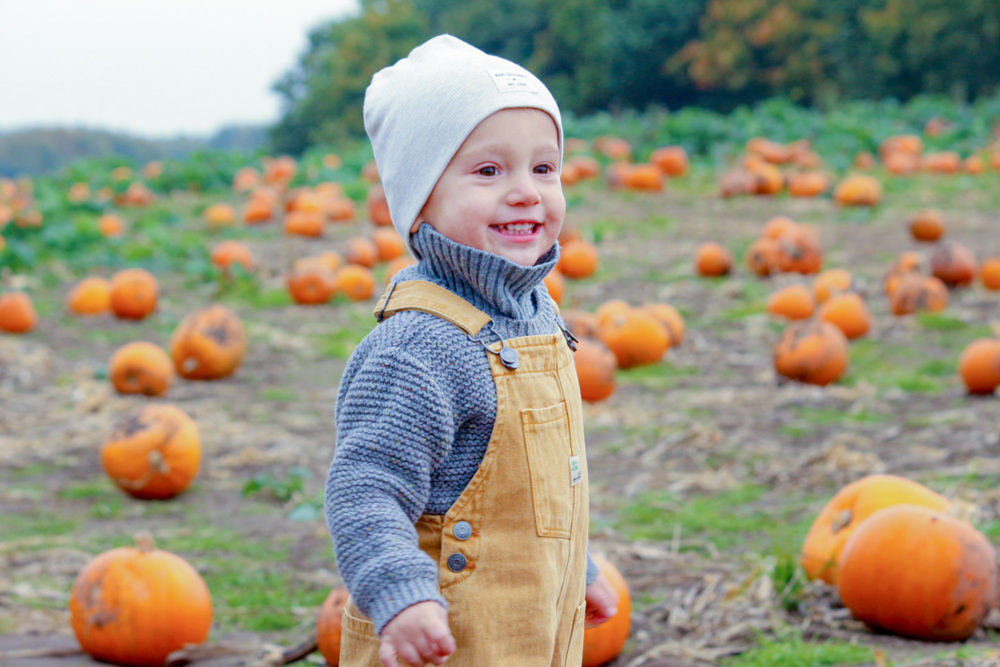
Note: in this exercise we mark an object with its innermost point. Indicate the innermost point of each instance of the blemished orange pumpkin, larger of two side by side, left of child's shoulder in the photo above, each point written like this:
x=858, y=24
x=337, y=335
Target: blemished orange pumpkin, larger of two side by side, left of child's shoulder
x=208, y=344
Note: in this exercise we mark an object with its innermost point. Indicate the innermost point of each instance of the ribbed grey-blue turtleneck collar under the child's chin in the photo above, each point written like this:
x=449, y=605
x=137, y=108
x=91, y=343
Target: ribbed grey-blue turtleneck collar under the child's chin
x=491, y=283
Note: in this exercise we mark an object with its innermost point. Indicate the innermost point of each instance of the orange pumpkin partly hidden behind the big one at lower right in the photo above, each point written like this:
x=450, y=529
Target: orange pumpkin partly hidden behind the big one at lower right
x=843, y=513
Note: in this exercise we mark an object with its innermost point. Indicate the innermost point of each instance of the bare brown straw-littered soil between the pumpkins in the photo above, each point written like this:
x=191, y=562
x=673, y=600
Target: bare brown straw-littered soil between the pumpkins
x=714, y=428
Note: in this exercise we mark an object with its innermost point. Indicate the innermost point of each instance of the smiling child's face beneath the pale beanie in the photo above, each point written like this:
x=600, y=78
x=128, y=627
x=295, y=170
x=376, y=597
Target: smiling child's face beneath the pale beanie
x=501, y=192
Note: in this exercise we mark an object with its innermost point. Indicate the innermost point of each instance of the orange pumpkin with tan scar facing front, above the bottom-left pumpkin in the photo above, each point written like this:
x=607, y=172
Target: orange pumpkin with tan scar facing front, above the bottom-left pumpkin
x=153, y=452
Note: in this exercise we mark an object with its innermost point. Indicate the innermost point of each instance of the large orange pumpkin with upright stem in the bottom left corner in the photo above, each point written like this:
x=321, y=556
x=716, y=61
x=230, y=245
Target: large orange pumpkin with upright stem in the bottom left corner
x=135, y=606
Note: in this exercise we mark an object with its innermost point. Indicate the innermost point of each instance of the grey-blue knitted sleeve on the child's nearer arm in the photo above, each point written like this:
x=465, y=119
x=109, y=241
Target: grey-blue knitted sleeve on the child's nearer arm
x=395, y=424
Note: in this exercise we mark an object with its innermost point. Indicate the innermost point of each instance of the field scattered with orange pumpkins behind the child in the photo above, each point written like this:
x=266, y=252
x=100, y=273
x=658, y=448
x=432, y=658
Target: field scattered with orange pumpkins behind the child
x=762, y=324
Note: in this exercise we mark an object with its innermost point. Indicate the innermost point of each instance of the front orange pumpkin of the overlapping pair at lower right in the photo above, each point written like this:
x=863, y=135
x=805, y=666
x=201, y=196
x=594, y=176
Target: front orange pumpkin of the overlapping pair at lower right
x=918, y=573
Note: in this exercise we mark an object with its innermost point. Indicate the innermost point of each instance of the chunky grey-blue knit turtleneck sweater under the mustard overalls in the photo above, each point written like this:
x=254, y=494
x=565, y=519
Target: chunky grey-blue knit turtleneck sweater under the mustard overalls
x=415, y=413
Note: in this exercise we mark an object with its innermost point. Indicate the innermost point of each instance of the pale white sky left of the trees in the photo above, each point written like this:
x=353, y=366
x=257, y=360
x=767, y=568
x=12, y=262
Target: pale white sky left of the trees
x=154, y=68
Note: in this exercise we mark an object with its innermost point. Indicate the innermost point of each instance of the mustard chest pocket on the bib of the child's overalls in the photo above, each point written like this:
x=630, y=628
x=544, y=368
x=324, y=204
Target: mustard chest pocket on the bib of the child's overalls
x=549, y=450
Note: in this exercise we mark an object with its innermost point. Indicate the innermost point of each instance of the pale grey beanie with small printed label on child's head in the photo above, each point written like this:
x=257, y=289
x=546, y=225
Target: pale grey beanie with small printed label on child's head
x=420, y=110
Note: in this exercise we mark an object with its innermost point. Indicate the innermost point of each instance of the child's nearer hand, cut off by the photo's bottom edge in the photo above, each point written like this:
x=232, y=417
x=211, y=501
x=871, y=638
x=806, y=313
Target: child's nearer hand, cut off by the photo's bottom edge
x=417, y=635
